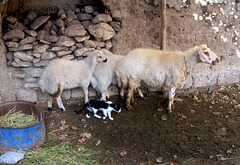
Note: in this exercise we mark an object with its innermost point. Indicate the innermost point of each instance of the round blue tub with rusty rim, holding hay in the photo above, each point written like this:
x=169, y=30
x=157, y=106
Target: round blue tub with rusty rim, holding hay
x=22, y=138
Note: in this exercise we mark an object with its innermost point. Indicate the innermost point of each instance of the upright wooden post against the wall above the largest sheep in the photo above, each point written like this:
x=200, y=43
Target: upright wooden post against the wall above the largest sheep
x=163, y=7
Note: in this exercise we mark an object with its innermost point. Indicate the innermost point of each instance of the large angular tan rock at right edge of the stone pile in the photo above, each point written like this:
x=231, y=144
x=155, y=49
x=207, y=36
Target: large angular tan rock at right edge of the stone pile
x=102, y=31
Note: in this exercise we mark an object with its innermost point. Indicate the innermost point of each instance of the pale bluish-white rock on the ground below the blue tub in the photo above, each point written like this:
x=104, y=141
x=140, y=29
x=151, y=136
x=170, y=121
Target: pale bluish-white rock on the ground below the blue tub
x=11, y=157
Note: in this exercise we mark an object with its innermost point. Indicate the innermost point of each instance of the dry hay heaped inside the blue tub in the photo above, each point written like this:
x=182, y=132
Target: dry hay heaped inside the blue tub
x=18, y=119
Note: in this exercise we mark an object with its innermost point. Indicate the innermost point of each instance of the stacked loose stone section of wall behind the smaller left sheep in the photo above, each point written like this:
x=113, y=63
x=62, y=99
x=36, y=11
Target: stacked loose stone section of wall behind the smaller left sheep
x=33, y=43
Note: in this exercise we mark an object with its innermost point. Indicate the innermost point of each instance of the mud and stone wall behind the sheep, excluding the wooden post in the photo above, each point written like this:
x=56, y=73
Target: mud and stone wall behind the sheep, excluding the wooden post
x=136, y=24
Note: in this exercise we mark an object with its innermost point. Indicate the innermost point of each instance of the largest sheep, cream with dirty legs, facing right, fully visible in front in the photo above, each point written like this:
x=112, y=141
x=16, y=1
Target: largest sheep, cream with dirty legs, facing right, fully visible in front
x=158, y=68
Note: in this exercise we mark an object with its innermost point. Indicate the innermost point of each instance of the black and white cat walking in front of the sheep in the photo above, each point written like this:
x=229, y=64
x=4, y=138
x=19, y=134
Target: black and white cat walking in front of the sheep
x=96, y=105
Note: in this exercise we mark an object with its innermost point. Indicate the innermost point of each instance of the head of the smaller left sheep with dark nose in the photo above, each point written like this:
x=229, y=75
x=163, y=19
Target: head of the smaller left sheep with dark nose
x=96, y=56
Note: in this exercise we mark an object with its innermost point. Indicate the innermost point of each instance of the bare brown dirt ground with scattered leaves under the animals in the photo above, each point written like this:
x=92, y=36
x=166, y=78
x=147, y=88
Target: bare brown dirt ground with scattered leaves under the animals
x=204, y=129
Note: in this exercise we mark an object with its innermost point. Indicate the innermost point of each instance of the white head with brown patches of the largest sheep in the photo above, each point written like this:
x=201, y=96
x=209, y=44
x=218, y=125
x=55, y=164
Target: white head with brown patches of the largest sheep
x=208, y=56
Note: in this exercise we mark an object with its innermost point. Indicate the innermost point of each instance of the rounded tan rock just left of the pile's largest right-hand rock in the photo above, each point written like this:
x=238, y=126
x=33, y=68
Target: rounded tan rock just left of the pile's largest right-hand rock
x=75, y=31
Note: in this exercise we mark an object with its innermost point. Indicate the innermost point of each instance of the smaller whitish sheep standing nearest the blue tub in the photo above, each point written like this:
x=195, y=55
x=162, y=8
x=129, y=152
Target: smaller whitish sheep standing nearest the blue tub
x=63, y=74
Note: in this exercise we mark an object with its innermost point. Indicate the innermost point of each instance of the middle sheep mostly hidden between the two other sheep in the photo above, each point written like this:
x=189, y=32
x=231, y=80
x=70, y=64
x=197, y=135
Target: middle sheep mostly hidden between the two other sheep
x=104, y=74
